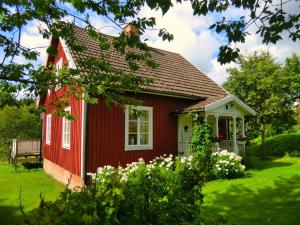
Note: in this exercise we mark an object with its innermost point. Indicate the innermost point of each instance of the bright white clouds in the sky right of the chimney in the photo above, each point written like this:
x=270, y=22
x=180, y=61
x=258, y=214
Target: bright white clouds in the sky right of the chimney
x=194, y=41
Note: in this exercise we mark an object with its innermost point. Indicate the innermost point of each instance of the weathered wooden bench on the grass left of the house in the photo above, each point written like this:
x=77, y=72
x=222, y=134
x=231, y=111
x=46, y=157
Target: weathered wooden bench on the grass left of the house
x=24, y=148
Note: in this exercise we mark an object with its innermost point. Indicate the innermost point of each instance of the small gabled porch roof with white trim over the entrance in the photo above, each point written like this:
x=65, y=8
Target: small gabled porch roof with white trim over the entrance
x=212, y=103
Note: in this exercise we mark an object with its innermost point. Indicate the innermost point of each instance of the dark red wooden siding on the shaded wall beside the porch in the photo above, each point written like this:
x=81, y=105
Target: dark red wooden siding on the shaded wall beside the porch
x=106, y=132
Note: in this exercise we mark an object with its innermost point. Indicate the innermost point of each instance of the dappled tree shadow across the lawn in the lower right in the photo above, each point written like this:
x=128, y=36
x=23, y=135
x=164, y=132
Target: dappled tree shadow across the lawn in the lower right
x=277, y=205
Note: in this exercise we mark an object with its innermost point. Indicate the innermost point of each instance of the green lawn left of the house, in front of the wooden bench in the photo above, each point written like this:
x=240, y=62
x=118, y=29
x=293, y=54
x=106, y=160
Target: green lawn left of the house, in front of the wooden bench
x=31, y=183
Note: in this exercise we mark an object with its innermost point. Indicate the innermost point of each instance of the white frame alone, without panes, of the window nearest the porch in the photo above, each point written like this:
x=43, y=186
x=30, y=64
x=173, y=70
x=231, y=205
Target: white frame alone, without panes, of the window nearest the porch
x=149, y=146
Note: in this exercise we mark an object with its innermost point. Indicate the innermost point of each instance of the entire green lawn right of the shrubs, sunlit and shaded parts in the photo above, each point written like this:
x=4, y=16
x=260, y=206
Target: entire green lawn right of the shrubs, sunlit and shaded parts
x=269, y=195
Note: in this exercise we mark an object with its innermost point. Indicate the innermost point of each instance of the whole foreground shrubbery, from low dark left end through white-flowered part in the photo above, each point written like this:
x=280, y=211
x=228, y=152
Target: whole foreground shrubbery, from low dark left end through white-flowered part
x=165, y=191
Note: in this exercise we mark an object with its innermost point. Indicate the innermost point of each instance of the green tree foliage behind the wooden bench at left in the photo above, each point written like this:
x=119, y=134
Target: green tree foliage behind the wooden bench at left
x=18, y=122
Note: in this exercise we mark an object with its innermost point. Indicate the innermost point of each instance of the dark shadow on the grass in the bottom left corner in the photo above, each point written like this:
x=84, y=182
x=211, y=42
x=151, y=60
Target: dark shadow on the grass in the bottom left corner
x=9, y=215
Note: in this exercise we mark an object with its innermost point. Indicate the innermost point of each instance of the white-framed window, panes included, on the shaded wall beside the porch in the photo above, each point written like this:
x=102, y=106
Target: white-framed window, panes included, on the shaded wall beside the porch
x=139, y=128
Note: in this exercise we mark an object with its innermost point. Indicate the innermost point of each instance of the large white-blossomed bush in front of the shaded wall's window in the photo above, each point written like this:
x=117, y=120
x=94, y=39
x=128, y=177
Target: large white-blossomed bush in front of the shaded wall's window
x=152, y=193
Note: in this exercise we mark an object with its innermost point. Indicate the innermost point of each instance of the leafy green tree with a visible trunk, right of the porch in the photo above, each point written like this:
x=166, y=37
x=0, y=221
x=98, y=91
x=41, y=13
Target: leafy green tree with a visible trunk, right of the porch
x=268, y=88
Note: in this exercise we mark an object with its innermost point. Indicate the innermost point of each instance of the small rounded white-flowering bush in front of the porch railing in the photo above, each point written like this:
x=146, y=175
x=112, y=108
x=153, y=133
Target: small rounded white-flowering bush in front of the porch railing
x=227, y=165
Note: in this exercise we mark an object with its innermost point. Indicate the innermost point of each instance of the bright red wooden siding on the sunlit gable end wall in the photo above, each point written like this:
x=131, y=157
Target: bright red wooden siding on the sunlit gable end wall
x=67, y=158
